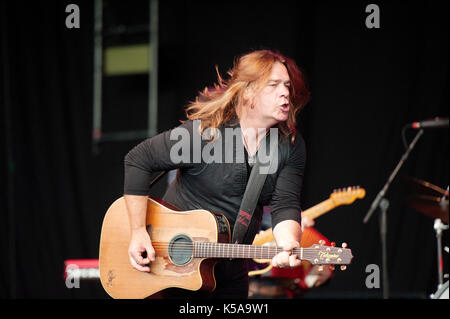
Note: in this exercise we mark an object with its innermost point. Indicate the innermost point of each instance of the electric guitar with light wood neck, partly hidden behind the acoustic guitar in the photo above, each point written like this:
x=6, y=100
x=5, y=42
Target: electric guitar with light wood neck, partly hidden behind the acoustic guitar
x=344, y=196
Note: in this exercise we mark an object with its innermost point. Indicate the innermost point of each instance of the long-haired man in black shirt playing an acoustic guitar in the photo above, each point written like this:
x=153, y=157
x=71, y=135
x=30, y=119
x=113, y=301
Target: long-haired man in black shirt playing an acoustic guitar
x=265, y=91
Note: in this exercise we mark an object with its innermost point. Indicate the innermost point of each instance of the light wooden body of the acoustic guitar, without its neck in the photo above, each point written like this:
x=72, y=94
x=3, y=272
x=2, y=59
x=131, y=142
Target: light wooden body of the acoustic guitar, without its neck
x=165, y=224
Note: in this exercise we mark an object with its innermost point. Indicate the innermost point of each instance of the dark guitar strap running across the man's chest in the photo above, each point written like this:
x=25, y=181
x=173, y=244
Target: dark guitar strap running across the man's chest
x=251, y=195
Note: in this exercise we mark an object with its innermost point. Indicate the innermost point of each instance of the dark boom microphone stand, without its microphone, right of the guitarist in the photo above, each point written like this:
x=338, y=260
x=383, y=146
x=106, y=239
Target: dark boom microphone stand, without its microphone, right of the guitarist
x=383, y=204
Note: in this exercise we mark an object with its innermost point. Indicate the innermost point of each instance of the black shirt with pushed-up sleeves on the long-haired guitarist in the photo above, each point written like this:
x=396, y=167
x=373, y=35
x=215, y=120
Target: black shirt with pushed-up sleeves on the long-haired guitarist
x=219, y=185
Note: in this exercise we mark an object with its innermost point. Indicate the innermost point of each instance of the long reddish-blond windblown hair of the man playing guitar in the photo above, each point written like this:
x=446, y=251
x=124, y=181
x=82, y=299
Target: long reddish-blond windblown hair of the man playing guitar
x=222, y=103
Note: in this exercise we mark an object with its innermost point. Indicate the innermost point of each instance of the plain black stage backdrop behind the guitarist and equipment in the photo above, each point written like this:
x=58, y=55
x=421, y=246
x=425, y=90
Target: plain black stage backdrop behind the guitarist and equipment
x=366, y=85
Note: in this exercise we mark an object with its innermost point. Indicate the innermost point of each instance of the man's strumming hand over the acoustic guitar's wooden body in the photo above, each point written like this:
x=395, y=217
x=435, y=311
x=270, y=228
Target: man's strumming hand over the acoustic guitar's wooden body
x=141, y=251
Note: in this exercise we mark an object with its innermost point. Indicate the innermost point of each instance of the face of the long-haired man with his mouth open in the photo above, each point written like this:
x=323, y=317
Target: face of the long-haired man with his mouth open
x=272, y=102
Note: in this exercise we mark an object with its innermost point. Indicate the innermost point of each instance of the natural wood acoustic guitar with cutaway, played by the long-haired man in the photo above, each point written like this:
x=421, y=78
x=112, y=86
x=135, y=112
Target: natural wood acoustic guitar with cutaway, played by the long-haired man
x=187, y=246
